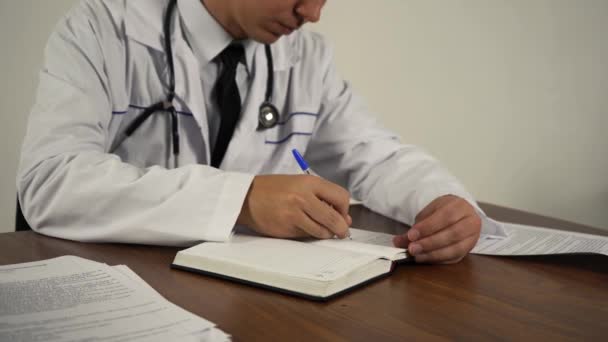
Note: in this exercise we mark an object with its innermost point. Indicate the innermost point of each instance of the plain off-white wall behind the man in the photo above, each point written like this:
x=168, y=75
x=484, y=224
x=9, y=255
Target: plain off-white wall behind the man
x=511, y=95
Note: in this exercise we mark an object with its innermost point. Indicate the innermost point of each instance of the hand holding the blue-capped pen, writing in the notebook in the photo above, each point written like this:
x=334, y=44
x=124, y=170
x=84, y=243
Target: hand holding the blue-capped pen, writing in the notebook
x=289, y=206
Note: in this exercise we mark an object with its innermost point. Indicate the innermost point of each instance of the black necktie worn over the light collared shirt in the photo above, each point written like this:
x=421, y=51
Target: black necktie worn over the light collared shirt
x=228, y=100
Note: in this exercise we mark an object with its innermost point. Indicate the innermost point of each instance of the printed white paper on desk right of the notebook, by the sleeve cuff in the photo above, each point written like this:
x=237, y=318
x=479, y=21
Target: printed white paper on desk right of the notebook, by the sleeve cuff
x=529, y=240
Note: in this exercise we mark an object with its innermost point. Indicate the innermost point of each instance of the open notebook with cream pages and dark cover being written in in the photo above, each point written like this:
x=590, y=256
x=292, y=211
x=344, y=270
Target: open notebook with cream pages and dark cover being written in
x=314, y=269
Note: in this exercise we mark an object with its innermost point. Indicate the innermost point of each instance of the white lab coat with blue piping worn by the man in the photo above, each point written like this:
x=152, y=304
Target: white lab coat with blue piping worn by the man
x=105, y=61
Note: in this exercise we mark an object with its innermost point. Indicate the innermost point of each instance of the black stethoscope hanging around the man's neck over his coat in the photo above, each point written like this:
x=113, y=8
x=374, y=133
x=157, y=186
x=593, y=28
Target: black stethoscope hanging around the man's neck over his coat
x=268, y=115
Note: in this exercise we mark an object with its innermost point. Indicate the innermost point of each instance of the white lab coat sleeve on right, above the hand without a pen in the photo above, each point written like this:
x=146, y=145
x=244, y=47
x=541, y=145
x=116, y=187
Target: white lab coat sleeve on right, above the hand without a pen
x=392, y=178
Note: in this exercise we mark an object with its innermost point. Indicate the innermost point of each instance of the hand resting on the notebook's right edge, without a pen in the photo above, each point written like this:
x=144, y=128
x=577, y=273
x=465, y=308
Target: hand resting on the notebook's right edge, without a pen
x=444, y=231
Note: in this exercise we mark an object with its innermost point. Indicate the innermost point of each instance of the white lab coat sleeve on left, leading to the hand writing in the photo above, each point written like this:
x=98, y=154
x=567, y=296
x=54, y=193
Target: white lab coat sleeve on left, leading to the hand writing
x=69, y=187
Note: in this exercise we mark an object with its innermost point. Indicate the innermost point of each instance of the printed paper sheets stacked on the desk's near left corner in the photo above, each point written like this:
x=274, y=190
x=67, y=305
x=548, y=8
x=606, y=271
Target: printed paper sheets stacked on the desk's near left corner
x=74, y=299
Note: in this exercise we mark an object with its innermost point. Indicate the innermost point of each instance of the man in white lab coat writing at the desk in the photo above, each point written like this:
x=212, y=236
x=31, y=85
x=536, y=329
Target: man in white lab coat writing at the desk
x=107, y=61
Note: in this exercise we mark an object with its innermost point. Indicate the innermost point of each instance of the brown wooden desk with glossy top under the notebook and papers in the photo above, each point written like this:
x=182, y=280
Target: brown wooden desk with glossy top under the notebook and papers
x=489, y=298
